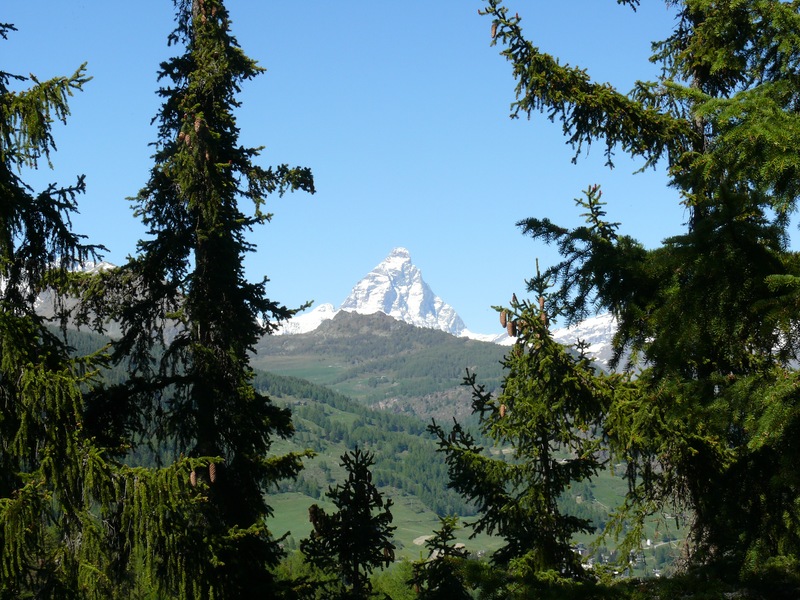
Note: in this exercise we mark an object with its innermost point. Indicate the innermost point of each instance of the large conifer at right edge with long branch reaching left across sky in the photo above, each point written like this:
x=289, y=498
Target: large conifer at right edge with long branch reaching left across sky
x=711, y=316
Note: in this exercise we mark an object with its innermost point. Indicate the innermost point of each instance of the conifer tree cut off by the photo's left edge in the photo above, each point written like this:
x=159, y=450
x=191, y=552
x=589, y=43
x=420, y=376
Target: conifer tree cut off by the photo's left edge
x=52, y=475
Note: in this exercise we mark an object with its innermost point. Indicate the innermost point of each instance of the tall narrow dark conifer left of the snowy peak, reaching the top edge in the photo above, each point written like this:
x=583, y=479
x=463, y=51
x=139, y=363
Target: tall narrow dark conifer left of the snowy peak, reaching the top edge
x=186, y=290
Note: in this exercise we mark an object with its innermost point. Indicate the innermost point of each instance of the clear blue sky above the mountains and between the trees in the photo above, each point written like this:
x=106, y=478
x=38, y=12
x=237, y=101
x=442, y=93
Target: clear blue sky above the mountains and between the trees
x=401, y=109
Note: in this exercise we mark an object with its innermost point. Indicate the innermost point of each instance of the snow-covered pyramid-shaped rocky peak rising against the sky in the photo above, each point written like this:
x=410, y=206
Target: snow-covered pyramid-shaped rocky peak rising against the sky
x=395, y=287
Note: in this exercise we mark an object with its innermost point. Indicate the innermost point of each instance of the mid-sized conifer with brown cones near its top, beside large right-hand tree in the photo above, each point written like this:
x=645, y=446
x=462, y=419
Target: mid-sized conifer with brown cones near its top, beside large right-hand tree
x=548, y=416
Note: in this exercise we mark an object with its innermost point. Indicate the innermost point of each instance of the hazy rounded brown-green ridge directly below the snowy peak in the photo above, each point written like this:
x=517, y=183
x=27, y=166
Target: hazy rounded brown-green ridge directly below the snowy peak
x=381, y=361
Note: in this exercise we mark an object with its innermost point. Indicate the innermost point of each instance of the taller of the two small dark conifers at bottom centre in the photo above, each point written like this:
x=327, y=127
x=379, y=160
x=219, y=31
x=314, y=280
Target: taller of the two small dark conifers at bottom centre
x=351, y=542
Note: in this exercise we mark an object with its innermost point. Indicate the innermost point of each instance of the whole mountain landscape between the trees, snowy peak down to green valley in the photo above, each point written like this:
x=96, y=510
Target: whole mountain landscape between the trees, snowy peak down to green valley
x=374, y=373
